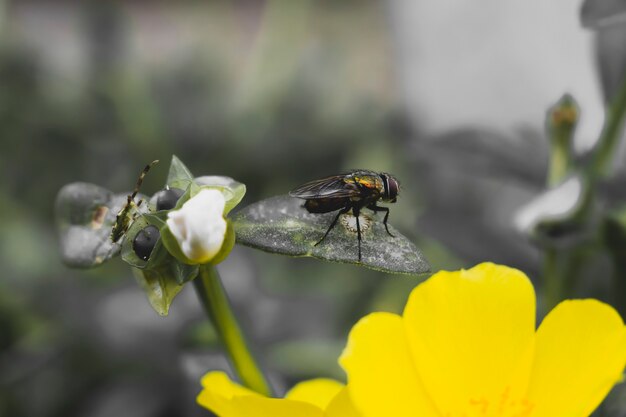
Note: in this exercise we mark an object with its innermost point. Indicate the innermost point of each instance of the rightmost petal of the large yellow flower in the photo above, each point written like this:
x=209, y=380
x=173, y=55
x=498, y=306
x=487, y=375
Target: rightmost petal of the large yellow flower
x=580, y=355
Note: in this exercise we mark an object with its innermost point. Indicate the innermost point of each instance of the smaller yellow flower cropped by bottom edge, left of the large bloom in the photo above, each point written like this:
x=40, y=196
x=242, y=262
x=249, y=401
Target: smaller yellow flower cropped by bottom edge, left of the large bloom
x=314, y=398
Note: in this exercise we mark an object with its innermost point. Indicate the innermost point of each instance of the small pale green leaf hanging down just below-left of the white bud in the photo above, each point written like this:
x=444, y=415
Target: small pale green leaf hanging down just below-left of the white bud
x=161, y=285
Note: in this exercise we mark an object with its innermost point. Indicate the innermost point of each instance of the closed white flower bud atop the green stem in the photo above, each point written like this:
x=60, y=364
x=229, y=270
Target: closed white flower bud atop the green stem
x=199, y=225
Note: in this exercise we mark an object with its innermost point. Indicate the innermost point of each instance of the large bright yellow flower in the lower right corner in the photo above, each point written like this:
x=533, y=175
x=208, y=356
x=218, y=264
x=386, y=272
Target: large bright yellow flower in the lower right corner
x=466, y=346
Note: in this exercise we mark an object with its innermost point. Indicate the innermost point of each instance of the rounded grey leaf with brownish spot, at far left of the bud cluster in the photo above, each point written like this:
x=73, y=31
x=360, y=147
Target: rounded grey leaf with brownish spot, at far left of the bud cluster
x=85, y=214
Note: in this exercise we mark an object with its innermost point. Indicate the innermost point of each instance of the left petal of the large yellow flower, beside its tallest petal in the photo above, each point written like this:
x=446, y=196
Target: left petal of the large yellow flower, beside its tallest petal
x=381, y=377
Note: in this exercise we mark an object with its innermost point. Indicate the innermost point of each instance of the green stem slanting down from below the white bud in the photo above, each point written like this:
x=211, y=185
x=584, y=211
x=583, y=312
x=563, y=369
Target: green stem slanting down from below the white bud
x=211, y=292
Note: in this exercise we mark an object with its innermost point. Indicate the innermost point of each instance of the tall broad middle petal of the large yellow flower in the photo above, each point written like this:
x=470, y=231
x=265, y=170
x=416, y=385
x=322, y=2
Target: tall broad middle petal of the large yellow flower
x=471, y=335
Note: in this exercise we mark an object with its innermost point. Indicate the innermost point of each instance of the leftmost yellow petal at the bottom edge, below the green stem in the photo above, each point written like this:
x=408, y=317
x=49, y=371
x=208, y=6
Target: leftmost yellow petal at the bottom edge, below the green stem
x=228, y=399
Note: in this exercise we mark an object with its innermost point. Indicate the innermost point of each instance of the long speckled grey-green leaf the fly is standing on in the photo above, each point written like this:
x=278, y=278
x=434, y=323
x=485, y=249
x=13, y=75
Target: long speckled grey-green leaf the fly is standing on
x=282, y=225
